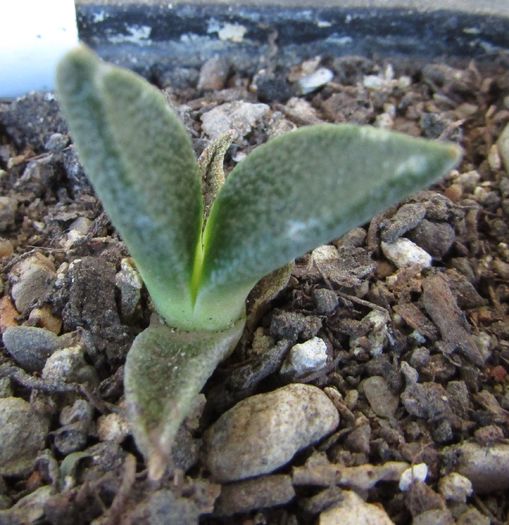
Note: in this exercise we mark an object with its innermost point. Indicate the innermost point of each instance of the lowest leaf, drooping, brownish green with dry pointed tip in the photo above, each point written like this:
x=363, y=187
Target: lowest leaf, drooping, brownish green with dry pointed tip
x=164, y=371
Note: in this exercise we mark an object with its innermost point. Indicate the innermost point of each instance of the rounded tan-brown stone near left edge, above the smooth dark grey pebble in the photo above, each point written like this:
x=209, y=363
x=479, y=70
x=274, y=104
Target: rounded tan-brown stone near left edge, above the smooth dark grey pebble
x=33, y=279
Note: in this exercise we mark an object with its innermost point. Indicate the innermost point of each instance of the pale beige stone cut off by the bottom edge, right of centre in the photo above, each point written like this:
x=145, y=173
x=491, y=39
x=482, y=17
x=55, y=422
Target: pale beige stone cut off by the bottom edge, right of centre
x=353, y=510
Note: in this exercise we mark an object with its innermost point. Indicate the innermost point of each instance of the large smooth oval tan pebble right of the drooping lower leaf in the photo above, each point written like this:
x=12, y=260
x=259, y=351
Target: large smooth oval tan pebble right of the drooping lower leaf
x=263, y=432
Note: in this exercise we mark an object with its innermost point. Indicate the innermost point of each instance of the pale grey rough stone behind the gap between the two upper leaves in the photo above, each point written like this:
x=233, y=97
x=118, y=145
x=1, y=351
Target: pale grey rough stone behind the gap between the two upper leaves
x=237, y=116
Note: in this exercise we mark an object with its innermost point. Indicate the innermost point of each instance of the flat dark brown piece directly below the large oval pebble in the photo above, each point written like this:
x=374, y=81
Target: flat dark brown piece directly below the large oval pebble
x=253, y=494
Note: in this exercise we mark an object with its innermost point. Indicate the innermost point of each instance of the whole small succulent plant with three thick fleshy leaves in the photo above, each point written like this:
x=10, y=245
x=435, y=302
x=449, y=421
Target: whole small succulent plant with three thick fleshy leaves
x=290, y=195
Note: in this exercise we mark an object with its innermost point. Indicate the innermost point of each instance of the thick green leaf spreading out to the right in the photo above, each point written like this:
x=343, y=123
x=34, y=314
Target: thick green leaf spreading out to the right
x=306, y=188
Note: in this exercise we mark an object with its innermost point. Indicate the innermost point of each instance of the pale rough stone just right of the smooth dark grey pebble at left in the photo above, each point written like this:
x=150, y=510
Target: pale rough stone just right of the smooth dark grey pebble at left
x=69, y=365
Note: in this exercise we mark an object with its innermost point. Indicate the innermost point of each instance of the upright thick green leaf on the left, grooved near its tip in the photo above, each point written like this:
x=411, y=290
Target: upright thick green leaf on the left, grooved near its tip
x=140, y=161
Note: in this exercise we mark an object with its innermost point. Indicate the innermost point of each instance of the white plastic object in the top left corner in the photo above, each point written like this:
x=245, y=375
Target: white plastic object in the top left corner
x=34, y=34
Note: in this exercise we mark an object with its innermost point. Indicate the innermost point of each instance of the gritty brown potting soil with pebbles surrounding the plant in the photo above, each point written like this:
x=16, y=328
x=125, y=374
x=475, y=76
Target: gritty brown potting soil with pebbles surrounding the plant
x=417, y=342
